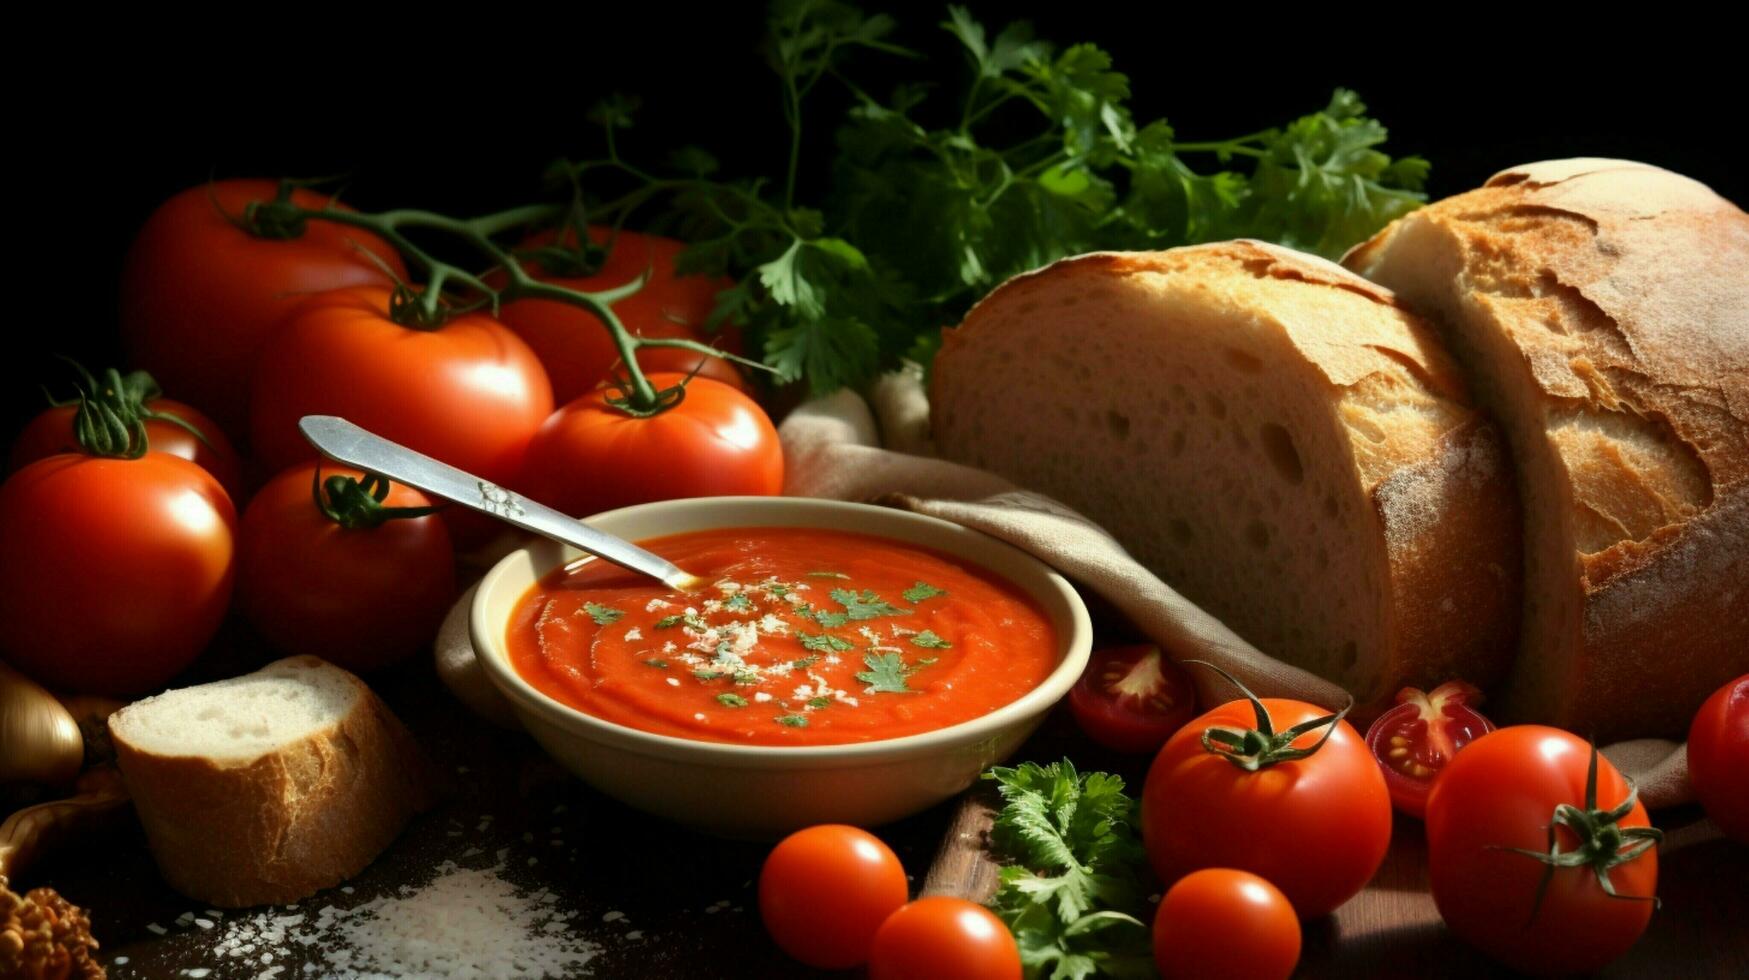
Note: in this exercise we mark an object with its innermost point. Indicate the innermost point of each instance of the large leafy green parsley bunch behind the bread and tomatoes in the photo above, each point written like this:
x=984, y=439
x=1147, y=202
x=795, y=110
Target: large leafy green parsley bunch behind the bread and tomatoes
x=935, y=200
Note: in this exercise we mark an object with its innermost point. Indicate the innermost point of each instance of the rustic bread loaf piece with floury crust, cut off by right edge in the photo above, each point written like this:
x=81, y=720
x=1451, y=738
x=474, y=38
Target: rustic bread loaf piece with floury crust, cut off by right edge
x=1603, y=312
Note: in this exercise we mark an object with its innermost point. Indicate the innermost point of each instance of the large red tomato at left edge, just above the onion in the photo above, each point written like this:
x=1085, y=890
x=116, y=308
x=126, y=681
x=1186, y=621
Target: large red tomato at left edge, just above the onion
x=115, y=573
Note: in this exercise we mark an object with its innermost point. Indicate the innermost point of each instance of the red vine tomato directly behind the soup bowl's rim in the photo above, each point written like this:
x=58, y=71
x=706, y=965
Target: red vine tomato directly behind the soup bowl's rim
x=592, y=458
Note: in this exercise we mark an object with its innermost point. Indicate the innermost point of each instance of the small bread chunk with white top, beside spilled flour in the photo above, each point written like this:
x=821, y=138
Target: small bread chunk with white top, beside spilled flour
x=270, y=787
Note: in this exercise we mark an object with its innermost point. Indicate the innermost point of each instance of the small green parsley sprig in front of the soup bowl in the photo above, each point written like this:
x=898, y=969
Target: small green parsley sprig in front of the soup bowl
x=1075, y=897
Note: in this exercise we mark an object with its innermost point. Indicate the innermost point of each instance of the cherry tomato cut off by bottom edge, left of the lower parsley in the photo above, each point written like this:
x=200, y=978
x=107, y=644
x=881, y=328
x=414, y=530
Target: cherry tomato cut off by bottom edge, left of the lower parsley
x=944, y=939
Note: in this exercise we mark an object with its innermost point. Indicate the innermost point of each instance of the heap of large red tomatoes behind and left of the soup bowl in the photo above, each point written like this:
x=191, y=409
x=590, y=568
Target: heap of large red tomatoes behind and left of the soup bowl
x=125, y=529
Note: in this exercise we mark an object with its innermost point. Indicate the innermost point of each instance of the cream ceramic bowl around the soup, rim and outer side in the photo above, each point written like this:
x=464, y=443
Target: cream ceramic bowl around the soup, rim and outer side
x=765, y=792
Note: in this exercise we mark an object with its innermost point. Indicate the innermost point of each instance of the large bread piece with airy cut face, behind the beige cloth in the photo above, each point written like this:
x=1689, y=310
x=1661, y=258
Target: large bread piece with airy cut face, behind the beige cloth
x=1265, y=431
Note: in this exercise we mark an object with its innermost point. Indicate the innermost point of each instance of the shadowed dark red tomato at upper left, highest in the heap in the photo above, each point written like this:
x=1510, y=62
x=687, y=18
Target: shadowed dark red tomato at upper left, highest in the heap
x=200, y=297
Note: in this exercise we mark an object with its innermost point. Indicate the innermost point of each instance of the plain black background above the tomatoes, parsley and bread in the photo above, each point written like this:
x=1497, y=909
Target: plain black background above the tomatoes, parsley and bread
x=466, y=113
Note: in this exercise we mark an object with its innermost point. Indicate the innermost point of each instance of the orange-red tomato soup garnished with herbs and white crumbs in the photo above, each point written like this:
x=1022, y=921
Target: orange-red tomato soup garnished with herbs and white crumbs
x=805, y=638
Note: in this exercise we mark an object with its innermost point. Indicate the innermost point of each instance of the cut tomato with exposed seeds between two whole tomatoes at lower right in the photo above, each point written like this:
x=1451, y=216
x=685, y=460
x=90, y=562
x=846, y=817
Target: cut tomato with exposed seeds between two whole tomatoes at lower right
x=1416, y=739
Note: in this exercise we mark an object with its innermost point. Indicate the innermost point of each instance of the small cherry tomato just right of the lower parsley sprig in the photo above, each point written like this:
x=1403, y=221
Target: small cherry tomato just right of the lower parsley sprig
x=1220, y=923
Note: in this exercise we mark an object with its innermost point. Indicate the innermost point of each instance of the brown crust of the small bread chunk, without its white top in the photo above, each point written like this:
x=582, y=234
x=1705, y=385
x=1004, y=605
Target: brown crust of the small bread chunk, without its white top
x=289, y=823
